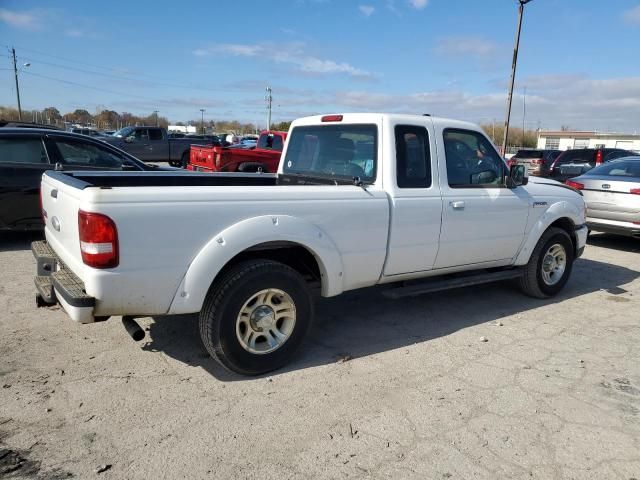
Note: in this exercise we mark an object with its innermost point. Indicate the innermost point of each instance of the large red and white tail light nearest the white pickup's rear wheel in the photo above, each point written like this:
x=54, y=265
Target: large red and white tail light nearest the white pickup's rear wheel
x=98, y=240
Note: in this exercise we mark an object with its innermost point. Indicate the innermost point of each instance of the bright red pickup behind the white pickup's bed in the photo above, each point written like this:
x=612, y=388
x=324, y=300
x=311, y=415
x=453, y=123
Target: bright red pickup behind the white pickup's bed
x=265, y=156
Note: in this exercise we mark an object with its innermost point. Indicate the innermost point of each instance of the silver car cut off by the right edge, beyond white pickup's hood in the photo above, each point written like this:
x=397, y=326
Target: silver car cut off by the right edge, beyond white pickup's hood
x=612, y=195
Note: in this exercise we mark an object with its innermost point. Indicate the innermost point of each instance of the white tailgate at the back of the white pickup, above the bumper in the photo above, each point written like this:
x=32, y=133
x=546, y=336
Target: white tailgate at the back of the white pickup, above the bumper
x=60, y=204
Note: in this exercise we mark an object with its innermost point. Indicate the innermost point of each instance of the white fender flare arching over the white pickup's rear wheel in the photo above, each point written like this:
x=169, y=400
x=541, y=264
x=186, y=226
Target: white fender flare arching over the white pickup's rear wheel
x=243, y=235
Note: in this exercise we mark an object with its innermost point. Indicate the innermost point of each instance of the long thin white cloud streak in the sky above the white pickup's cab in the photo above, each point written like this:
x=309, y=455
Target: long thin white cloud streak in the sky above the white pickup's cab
x=291, y=54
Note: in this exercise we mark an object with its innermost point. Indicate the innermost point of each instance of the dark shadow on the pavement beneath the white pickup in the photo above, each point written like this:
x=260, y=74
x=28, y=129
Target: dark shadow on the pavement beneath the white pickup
x=362, y=323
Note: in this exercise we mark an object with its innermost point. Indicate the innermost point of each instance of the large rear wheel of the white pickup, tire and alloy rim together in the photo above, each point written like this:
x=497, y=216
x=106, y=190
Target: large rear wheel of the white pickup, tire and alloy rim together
x=255, y=316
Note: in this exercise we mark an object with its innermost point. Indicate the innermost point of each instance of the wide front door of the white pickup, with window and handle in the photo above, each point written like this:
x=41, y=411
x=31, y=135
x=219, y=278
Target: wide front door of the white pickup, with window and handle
x=482, y=220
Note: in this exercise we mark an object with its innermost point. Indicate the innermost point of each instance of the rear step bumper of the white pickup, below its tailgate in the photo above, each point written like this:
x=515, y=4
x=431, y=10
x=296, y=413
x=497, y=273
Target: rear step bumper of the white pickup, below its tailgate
x=56, y=283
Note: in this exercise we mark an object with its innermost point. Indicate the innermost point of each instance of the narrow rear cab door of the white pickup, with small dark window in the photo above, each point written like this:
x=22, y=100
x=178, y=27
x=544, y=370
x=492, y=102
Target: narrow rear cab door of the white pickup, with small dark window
x=416, y=205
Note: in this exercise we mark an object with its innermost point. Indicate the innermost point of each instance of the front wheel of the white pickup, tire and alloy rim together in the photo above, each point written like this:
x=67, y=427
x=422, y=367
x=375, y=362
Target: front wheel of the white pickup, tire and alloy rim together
x=550, y=265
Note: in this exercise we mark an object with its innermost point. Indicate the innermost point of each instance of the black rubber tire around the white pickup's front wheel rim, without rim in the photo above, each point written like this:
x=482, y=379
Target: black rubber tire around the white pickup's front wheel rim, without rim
x=532, y=282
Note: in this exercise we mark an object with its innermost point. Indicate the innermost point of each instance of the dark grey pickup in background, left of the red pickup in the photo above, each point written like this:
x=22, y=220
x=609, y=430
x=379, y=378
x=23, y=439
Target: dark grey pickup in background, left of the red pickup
x=152, y=144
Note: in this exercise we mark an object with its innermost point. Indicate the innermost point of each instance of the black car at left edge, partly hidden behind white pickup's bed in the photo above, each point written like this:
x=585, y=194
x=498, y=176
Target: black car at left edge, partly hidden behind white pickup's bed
x=25, y=153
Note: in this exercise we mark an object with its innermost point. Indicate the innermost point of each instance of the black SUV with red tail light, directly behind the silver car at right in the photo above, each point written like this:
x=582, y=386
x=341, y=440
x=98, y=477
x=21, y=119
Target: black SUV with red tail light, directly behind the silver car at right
x=572, y=163
